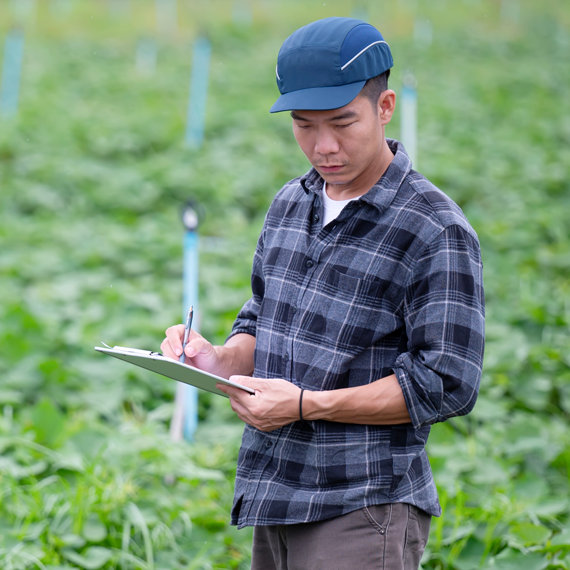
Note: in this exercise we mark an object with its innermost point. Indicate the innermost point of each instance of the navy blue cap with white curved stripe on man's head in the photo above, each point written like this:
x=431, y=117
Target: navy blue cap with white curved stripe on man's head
x=326, y=63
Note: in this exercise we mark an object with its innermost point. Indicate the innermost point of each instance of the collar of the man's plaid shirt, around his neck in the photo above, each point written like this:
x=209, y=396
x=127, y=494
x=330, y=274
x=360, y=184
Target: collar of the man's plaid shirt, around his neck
x=383, y=192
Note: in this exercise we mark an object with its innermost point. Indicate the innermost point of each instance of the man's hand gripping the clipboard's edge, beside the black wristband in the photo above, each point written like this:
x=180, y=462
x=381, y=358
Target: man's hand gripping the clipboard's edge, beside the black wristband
x=274, y=404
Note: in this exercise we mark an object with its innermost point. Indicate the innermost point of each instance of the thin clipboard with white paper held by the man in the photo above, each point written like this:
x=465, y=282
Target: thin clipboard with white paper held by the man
x=165, y=366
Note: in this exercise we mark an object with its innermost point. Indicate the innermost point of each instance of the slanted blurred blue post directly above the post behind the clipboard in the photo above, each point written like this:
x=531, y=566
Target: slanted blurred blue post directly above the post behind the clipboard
x=198, y=93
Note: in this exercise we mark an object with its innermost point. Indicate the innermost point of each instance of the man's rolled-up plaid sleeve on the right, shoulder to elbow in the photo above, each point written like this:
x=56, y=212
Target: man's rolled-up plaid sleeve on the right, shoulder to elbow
x=444, y=316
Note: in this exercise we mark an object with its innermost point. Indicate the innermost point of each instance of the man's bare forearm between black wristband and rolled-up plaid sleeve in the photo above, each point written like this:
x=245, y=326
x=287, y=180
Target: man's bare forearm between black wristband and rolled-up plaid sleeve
x=379, y=403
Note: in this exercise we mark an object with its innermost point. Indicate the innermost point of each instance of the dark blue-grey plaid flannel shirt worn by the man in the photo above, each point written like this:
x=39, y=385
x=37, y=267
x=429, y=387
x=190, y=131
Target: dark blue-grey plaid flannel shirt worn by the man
x=393, y=285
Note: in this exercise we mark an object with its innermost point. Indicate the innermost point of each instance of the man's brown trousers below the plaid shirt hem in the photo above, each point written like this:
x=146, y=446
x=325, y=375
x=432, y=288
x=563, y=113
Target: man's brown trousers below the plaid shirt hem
x=388, y=537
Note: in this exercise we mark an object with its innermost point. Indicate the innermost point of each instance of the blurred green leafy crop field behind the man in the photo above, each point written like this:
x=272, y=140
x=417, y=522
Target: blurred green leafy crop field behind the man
x=94, y=170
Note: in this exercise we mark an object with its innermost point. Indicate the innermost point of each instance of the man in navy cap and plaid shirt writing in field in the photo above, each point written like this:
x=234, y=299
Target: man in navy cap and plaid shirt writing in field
x=365, y=325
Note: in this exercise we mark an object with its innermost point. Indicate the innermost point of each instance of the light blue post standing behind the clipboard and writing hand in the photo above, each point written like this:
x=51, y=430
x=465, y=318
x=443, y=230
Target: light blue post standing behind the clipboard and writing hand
x=189, y=396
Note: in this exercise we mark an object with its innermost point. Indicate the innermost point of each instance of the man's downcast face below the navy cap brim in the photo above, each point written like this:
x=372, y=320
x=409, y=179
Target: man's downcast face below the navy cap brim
x=346, y=146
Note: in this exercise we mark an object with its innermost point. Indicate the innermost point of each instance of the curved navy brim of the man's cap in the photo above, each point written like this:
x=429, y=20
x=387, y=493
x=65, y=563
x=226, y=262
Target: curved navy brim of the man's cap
x=318, y=98
